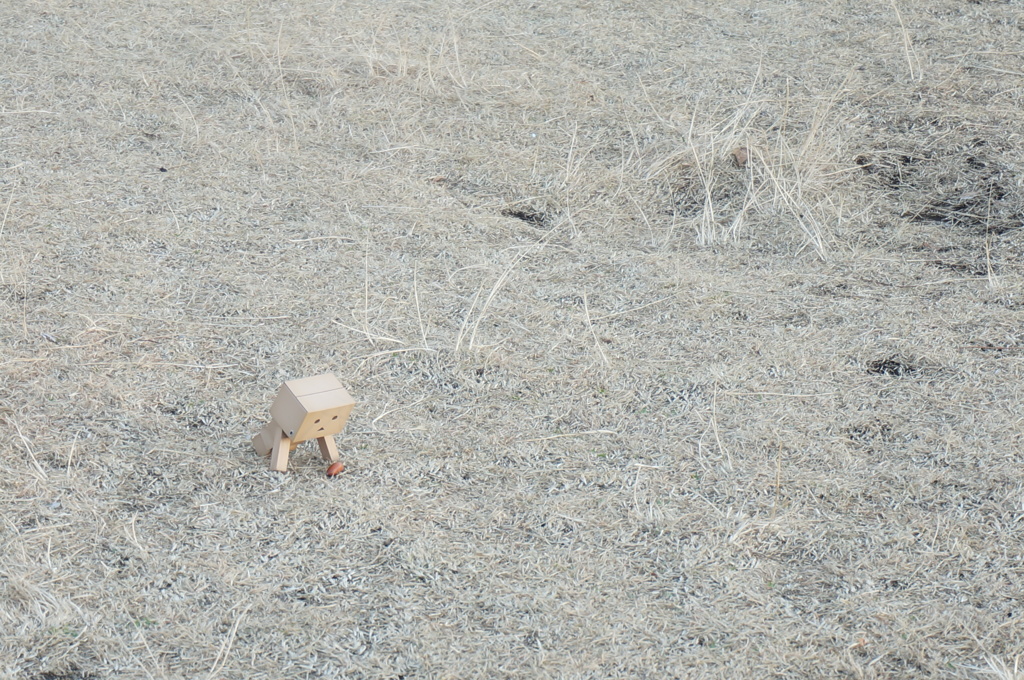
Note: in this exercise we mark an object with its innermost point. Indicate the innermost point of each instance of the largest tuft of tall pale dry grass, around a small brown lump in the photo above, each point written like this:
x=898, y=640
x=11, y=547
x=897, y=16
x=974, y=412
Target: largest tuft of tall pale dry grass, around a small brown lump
x=791, y=174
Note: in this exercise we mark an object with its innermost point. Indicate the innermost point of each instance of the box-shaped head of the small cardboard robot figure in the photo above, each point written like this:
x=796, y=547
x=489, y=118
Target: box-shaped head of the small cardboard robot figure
x=312, y=408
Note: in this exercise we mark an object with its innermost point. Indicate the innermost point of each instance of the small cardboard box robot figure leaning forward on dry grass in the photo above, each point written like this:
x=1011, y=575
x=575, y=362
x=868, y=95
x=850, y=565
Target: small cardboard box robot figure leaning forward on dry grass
x=315, y=408
